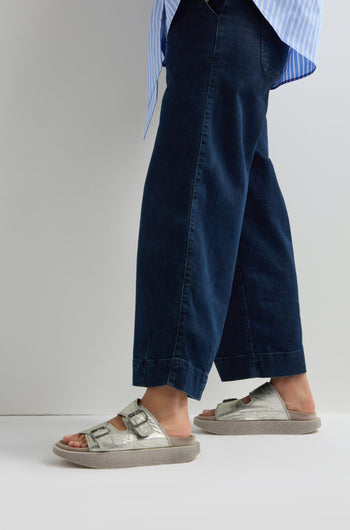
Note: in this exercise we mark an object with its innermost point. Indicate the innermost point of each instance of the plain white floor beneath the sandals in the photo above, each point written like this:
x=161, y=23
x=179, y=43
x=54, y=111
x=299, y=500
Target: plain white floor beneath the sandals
x=247, y=482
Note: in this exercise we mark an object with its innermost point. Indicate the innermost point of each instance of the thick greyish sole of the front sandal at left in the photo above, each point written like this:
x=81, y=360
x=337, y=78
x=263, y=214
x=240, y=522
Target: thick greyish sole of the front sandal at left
x=130, y=458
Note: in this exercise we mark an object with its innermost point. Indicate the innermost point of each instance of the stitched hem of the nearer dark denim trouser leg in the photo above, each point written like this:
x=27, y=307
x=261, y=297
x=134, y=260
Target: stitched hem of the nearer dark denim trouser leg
x=173, y=371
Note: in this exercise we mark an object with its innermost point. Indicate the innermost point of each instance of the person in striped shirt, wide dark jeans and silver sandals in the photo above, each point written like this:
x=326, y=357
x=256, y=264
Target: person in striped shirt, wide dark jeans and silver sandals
x=216, y=280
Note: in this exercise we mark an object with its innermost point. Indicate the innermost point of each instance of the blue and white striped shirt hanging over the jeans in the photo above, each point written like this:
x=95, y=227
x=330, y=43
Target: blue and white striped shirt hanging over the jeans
x=297, y=22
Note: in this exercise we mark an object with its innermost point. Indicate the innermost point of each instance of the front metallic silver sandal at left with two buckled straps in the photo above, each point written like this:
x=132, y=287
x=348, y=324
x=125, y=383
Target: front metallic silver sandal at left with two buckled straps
x=143, y=443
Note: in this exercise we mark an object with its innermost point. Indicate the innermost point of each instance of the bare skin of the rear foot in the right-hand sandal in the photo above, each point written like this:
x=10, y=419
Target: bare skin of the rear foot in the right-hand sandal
x=294, y=391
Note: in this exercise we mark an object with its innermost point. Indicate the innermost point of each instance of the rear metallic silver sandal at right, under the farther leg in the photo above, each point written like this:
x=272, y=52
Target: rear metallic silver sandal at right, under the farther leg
x=266, y=413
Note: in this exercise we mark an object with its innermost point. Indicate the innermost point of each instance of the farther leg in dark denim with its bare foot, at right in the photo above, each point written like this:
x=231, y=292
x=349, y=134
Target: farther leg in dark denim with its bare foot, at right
x=262, y=335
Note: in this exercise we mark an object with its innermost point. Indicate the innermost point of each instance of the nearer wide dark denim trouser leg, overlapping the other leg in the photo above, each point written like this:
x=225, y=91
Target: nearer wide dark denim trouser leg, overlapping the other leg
x=194, y=198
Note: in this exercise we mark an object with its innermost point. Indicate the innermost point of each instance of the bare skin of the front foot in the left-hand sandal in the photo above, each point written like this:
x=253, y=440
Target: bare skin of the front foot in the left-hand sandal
x=167, y=404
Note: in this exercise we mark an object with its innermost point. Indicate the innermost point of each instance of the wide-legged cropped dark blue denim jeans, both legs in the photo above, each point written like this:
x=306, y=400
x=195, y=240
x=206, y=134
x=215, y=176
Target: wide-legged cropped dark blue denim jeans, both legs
x=216, y=279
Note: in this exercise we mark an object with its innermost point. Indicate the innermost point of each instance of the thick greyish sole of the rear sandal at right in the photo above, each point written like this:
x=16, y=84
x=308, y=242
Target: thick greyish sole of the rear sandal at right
x=258, y=426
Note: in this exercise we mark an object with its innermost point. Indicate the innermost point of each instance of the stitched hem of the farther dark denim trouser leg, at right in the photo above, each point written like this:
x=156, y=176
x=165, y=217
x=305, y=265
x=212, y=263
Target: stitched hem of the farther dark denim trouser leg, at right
x=278, y=364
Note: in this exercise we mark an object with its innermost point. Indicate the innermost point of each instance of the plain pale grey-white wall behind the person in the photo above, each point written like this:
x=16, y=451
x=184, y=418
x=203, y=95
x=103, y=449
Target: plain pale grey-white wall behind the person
x=72, y=168
